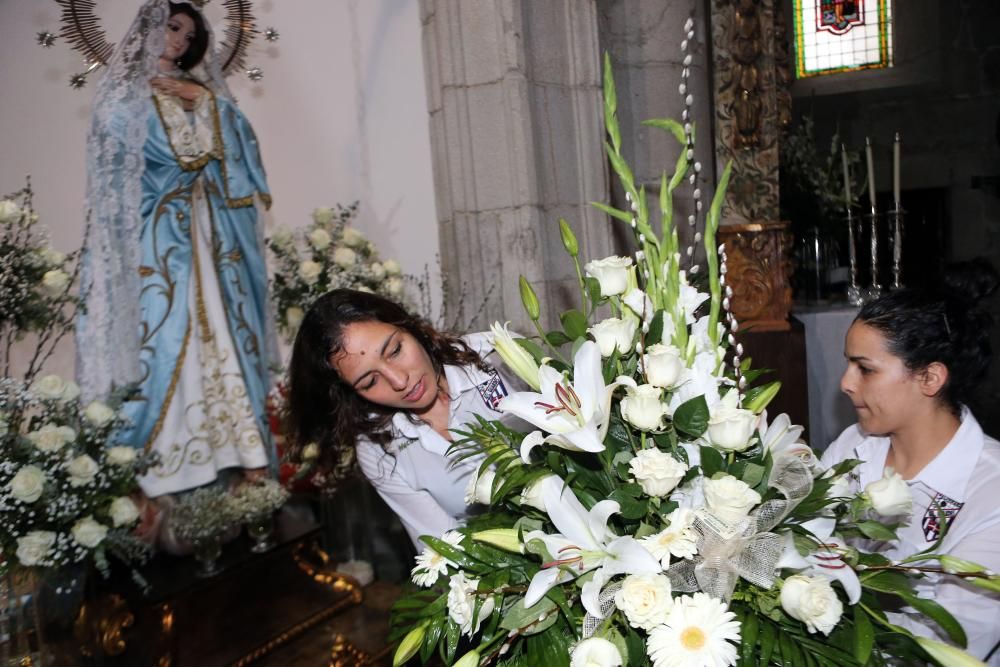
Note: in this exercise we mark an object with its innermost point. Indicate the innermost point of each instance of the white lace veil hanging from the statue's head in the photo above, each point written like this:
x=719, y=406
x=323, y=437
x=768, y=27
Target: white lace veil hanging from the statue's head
x=107, y=336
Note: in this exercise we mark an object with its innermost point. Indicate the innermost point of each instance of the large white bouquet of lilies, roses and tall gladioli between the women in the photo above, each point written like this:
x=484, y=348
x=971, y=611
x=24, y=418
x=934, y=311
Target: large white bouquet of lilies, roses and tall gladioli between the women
x=665, y=523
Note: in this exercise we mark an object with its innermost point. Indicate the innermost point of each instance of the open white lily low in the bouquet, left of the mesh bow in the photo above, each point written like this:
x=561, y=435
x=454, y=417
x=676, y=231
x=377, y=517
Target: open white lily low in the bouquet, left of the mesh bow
x=584, y=543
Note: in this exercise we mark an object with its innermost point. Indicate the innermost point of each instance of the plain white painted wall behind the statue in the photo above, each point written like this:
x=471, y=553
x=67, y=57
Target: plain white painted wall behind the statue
x=341, y=115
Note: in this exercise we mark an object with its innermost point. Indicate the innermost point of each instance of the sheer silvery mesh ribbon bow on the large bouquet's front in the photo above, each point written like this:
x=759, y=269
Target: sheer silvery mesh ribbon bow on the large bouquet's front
x=728, y=551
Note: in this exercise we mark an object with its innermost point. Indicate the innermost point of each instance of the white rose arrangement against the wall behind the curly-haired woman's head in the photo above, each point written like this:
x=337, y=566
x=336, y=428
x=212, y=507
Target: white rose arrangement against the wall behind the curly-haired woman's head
x=327, y=254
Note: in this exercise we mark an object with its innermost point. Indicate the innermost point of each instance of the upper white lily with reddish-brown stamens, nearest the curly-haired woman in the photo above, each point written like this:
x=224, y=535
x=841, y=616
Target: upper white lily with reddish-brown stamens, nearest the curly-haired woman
x=575, y=413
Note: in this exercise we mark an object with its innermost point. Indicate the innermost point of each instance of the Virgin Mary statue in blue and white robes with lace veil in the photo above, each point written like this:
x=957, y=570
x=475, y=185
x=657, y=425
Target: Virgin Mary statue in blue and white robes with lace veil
x=174, y=279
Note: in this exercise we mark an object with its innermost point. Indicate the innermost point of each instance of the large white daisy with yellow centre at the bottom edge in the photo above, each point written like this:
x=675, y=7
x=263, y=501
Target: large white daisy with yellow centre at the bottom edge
x=699, y=632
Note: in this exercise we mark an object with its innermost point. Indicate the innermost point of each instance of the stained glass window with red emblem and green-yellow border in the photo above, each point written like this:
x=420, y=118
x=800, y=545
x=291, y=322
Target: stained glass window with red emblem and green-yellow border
x=842, y=35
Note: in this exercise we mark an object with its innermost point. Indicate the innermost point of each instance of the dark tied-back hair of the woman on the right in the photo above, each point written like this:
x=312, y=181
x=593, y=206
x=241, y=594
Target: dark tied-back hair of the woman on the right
x=942, y=324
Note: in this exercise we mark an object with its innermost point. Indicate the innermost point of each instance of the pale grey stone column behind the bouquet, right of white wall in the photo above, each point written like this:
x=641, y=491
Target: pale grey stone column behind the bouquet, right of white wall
x=516, y=132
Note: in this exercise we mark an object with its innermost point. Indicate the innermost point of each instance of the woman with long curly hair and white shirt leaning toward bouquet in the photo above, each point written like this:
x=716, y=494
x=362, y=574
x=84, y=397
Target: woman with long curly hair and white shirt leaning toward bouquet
x=370, y=380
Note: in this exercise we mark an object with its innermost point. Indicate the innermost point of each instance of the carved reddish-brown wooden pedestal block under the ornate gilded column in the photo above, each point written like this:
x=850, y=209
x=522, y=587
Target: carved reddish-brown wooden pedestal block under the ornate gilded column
x=759, y=270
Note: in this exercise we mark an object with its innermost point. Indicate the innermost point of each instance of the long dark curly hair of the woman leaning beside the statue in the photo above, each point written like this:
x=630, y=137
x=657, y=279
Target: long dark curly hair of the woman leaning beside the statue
x=322, y=407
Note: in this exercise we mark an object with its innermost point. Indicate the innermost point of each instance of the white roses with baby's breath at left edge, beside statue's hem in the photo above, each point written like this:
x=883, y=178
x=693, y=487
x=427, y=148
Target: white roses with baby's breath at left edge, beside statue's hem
x=65, y=497
